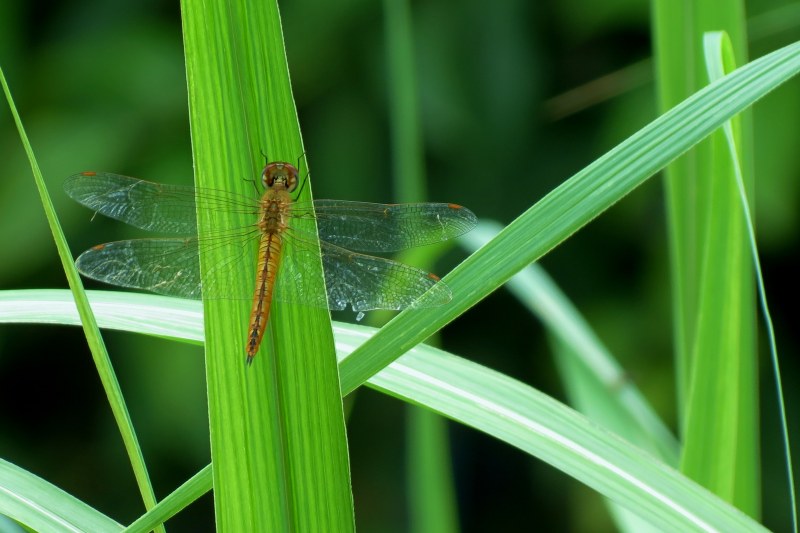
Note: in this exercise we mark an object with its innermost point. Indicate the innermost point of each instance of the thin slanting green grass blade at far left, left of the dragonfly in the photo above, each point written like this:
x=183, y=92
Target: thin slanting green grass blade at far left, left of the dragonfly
x=93, y=338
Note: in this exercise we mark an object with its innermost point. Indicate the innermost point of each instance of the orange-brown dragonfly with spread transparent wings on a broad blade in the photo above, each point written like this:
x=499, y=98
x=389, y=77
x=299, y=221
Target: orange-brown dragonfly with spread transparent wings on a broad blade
x=348, y=234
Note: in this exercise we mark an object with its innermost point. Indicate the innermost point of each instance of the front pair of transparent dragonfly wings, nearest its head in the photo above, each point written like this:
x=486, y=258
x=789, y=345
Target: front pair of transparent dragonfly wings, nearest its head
x=357, y=226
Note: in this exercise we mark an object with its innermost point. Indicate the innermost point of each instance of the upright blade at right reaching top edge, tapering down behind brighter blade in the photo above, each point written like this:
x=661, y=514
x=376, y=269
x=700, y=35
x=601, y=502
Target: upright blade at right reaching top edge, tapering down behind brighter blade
x=678, y=29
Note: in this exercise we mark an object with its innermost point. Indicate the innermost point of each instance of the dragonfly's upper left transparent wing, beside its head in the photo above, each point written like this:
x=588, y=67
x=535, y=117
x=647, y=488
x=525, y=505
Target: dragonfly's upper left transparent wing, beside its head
x=151, y=206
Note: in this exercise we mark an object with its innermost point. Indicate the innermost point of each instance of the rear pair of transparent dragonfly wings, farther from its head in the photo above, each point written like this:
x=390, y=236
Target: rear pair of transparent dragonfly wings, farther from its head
x=171, y=267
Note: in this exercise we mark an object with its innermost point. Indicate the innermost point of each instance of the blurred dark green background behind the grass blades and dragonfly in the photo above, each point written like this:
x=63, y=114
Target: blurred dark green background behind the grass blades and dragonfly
x=101, y=86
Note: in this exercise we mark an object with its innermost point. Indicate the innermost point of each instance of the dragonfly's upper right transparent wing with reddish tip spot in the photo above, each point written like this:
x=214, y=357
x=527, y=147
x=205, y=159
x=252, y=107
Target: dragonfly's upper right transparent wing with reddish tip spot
x=368, y=227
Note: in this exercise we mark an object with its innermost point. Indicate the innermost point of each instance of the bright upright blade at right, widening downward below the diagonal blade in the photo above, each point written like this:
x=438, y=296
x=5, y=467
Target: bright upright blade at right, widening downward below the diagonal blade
x=721, y=443
